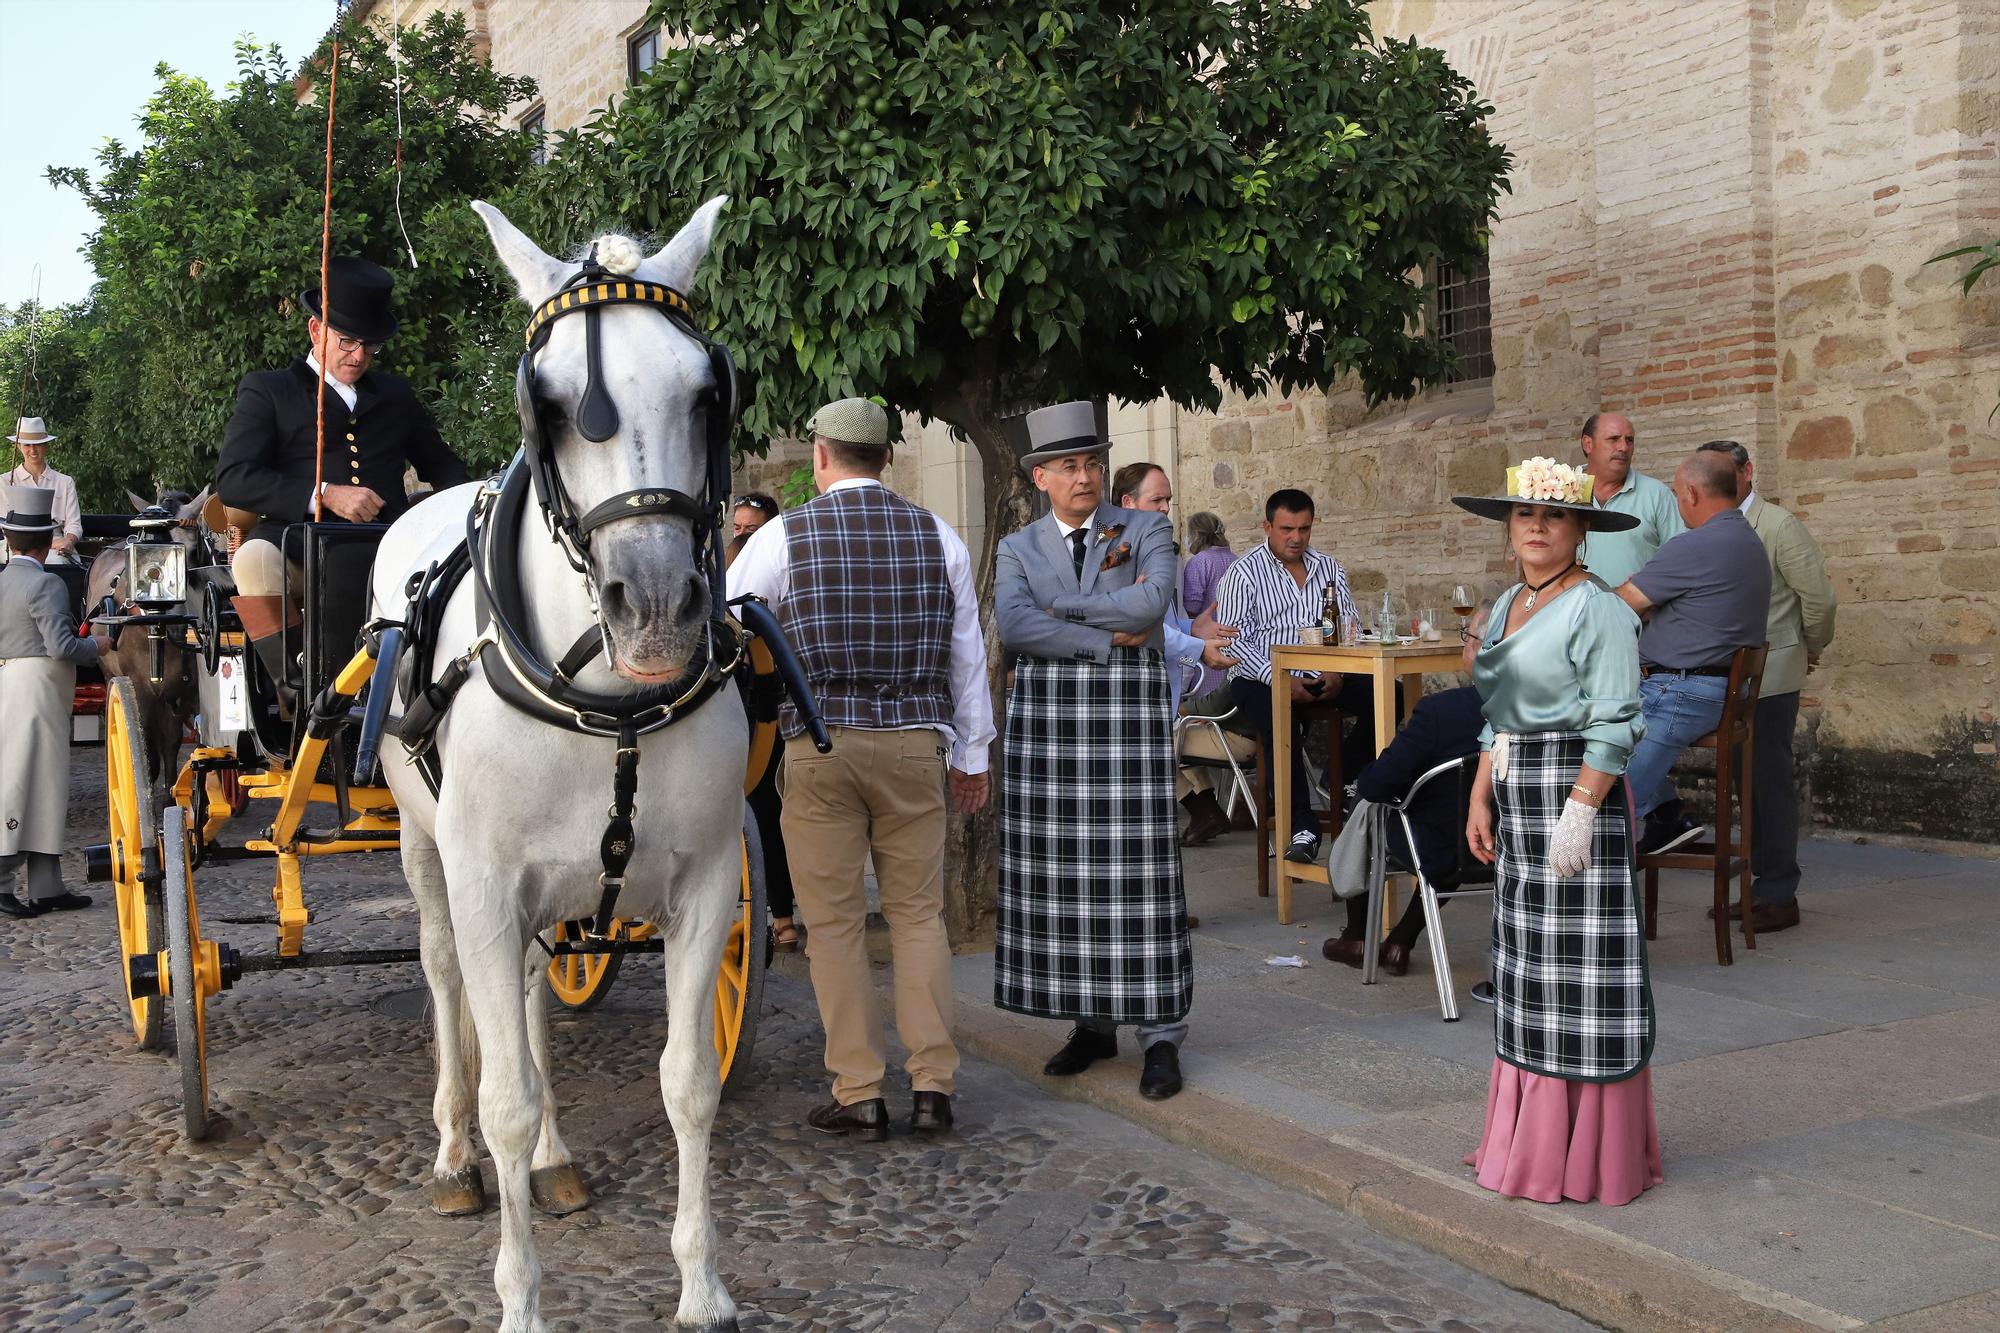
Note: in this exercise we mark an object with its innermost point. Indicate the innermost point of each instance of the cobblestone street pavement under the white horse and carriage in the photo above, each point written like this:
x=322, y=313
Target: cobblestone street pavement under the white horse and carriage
x=307, y=1208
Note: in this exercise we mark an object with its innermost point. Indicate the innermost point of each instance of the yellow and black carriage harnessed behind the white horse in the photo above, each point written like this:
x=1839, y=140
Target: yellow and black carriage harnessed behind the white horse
x=317, y=778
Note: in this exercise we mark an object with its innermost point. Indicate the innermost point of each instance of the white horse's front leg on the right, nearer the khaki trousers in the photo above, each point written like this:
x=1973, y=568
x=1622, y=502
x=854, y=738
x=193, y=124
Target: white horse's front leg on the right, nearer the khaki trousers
x=691, y=1086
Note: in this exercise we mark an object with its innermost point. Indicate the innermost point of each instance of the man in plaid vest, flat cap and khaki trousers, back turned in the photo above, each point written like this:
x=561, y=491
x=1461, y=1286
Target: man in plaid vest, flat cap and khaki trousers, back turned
x=877, y=599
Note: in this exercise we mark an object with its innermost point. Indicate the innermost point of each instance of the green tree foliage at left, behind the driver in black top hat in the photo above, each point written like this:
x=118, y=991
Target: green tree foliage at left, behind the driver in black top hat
x=211, y=227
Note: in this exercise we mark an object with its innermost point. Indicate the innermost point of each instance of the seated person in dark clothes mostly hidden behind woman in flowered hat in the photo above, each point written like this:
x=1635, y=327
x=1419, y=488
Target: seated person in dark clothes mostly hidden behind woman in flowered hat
x=1443, y=728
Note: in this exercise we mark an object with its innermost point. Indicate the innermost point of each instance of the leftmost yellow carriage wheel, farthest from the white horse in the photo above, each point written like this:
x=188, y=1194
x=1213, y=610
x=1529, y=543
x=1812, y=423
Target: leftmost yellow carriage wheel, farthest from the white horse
x=135, y=854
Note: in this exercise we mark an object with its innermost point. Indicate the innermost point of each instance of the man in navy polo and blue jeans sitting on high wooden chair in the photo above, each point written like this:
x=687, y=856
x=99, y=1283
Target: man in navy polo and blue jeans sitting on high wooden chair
x=1703, y=595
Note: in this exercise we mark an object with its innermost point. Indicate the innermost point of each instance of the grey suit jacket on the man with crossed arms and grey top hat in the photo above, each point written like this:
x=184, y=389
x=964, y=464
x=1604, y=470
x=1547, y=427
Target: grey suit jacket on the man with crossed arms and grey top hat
x=1047, y=611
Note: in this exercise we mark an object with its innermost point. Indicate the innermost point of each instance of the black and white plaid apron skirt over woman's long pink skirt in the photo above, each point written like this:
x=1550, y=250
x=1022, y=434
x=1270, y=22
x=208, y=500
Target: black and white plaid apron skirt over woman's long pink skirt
x=1571, y=986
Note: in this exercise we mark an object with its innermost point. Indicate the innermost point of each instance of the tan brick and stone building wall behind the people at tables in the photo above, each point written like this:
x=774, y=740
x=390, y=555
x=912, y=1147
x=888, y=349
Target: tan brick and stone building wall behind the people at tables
x=1719, y=225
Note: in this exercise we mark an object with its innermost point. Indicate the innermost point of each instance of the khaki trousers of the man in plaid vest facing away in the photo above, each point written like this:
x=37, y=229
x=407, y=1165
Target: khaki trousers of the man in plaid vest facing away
x=877, y=794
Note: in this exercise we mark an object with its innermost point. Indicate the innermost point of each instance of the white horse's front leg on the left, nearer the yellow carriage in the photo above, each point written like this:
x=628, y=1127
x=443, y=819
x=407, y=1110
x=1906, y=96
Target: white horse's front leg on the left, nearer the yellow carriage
x=491, y=938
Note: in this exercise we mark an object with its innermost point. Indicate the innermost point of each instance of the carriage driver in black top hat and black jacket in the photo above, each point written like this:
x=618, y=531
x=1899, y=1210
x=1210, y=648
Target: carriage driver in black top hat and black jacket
x=375, y=429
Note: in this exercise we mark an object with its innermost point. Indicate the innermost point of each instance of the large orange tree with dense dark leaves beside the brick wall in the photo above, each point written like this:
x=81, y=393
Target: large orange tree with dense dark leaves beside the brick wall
x=973, y=209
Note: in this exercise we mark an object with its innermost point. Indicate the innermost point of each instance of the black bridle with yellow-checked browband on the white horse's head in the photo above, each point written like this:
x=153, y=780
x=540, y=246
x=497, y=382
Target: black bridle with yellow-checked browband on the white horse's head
x=597, y=419
